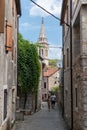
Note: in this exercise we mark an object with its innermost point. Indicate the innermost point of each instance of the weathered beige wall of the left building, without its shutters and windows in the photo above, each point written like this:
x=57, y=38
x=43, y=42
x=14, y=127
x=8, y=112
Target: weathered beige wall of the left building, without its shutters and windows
x=8, y=67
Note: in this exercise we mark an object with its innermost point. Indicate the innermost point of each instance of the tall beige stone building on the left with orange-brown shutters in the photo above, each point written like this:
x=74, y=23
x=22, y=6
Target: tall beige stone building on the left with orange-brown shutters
x=9, y=12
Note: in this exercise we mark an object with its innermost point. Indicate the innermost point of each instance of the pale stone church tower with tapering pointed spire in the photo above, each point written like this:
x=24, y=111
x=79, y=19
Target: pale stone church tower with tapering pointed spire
x=43, y=44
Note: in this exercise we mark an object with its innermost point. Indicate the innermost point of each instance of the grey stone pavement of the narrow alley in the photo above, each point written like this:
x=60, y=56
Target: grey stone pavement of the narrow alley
x=43, y=120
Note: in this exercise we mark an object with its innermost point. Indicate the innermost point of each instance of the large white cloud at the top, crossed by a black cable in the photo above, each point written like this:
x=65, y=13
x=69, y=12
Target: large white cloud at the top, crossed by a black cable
x=53, y=6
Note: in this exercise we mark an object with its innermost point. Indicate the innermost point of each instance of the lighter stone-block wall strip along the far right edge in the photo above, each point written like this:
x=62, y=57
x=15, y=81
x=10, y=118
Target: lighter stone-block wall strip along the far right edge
x=83, y=23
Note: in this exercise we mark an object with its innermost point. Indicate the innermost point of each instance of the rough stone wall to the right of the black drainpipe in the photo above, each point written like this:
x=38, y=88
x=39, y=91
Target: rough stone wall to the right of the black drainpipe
x=79, y=70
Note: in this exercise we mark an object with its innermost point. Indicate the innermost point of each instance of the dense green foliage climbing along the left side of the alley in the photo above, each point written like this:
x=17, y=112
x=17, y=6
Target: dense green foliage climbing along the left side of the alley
x=28, y=66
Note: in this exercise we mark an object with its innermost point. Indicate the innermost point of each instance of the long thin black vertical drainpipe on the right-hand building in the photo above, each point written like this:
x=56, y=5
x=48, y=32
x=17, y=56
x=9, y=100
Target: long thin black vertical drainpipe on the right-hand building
x=71, y=64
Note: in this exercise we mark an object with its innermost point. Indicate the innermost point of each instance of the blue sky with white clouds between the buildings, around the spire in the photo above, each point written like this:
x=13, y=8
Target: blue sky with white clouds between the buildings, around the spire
x=30, y=24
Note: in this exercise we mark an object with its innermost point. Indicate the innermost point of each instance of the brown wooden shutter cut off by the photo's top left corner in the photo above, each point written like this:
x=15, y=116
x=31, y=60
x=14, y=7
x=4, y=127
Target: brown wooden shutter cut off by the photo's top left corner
x=2, y=15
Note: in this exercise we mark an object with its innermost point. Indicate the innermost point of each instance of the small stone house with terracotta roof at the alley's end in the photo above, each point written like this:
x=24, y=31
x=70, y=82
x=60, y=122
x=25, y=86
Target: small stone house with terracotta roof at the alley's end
x=50, y=80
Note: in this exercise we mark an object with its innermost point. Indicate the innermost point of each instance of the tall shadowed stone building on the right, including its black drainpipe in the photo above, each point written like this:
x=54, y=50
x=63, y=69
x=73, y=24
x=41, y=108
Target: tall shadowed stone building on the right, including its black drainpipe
x=74, y=24
